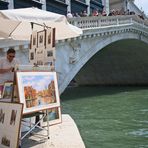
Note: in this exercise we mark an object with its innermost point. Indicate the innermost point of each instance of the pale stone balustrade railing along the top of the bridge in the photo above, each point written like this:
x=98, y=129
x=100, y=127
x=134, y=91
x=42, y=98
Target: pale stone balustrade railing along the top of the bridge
x=101, y=21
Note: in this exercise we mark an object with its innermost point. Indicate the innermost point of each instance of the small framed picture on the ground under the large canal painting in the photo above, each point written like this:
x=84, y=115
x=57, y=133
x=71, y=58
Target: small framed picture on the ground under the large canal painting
x=54, y=116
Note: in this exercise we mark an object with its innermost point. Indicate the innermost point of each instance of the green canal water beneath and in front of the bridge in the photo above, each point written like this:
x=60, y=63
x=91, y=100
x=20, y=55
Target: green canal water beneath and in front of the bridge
x=109, y=117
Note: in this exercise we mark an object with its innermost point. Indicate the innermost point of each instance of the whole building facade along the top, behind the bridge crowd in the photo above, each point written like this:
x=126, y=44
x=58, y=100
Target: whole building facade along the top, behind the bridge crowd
x=74, y=6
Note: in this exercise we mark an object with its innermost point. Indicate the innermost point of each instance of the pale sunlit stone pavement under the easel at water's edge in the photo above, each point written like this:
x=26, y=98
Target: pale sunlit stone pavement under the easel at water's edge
x=64, y=135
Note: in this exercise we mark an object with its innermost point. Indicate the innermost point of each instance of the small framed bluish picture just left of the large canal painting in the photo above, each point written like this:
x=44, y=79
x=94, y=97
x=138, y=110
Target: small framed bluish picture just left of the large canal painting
x=7, y=90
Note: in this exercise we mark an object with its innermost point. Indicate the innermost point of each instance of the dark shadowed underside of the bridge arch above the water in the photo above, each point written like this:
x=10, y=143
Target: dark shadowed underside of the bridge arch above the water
x=123, y=62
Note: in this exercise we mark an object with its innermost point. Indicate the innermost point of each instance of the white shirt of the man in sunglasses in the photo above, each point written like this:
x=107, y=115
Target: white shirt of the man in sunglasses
x=5, y=64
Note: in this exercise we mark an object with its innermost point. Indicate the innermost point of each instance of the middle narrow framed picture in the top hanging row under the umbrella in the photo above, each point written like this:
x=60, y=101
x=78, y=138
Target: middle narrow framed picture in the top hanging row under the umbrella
x=41, y=39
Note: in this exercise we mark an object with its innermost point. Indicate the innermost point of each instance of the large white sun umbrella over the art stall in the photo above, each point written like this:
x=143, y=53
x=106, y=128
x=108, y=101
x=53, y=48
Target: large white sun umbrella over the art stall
x=24, y=17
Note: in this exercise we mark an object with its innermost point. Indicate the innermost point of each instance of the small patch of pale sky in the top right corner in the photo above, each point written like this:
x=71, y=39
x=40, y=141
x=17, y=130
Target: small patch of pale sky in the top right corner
x=142, y=4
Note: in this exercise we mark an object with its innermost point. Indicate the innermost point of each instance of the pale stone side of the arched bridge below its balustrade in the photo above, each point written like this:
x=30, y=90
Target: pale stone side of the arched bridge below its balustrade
x=75, y=53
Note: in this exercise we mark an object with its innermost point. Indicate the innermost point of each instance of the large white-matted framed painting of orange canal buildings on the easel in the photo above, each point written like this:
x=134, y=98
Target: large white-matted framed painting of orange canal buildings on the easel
x=37, y=90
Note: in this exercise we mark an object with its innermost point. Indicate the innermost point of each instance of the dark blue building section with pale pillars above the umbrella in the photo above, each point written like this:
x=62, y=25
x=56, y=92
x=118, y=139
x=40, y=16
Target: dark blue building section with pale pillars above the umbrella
x=56, y=6
